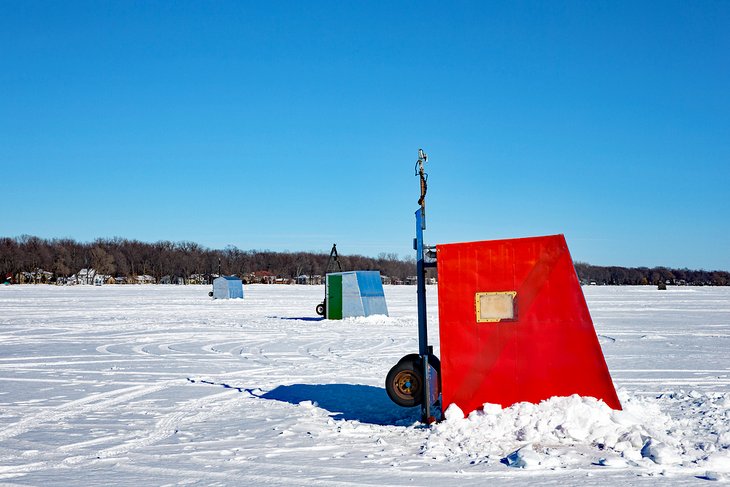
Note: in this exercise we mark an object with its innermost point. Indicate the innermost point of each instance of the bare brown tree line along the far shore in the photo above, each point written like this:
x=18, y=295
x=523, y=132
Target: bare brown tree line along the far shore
x=61, y=258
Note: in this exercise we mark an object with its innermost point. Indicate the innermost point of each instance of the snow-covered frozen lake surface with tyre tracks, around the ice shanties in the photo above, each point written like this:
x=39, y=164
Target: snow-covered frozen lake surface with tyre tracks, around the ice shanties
x=160, y=385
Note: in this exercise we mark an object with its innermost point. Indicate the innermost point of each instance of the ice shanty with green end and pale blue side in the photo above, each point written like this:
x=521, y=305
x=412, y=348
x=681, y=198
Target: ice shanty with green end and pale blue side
x=354, y=293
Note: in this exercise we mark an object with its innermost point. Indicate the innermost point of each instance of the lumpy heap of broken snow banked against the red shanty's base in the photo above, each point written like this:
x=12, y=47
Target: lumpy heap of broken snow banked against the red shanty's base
x=576, y=431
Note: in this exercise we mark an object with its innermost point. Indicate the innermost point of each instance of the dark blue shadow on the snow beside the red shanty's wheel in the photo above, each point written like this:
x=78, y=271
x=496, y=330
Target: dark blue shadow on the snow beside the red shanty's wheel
x=366, y=404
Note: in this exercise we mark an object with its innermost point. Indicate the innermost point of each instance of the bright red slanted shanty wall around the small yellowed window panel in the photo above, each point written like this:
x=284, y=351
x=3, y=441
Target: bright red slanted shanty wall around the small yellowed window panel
x=549, y=349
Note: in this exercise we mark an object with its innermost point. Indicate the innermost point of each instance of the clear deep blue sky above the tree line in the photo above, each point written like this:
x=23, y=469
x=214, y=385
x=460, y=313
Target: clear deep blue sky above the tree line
x=293, y=125
